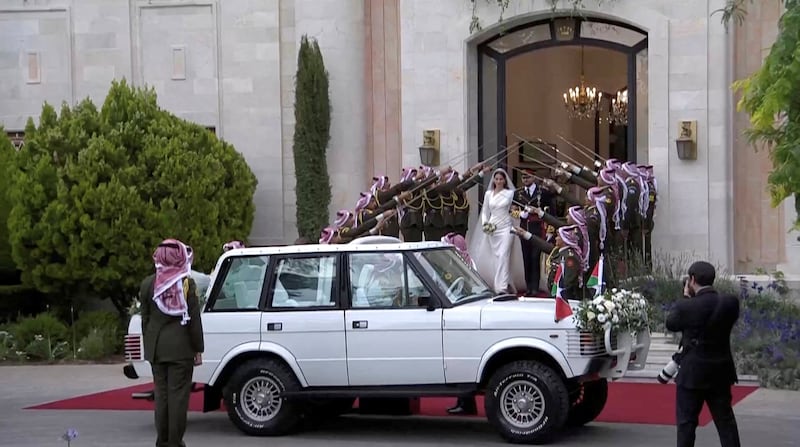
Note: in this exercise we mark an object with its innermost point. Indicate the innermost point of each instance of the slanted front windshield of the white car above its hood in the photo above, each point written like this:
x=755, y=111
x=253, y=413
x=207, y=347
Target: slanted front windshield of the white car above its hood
x=452, y=276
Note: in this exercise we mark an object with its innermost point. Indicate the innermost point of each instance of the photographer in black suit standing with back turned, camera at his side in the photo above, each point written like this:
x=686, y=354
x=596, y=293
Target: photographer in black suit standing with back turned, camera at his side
x=707, y=371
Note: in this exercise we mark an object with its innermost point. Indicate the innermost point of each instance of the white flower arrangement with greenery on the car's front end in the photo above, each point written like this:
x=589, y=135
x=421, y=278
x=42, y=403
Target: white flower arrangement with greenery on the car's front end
x=621, y=310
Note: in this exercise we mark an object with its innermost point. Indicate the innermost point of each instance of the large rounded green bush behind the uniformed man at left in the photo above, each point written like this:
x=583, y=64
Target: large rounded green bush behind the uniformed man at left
x=95, y=191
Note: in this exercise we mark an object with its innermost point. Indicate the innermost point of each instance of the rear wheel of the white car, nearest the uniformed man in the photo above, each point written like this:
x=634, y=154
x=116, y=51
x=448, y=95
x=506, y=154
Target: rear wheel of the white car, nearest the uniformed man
x=253, y=399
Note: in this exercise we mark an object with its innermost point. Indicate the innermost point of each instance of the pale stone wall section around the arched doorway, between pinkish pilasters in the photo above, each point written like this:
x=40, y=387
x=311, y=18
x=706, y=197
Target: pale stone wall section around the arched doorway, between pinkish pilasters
x=688, y=78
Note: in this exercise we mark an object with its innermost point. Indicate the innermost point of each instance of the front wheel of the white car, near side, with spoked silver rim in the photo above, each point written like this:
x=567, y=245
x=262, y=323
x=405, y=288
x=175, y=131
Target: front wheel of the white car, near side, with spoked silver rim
x=526, y=402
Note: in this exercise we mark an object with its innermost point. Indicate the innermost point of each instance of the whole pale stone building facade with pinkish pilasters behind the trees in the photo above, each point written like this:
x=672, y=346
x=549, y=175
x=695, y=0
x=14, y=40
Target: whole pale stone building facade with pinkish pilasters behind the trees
x=398, y=67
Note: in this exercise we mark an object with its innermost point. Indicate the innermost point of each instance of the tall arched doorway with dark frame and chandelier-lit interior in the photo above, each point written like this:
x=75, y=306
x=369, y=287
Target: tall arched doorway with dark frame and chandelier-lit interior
x=524, y=71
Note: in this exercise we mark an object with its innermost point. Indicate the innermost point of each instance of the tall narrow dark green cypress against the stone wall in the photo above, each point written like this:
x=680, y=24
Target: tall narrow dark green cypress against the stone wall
x=312, y=112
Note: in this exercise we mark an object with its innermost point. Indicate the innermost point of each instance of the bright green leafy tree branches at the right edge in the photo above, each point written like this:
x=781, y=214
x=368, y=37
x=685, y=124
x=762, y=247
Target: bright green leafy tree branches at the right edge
x=771, y=96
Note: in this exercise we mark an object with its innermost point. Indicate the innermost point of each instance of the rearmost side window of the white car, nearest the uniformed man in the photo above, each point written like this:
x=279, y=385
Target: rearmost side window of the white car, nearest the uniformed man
x=242, y=284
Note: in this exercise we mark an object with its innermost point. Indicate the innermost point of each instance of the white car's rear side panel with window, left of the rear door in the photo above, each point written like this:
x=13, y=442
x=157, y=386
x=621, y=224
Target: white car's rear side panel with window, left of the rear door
x=232, y=318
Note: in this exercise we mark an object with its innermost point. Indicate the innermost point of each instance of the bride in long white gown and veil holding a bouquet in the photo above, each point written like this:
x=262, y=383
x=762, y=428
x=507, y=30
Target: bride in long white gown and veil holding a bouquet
x=491, y=243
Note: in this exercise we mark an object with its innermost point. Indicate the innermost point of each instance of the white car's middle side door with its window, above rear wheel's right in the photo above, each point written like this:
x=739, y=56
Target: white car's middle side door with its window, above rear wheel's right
x=303, y=316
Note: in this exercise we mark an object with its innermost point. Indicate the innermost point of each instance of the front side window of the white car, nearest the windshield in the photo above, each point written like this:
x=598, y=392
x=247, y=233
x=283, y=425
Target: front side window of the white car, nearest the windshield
x=385, y=280
